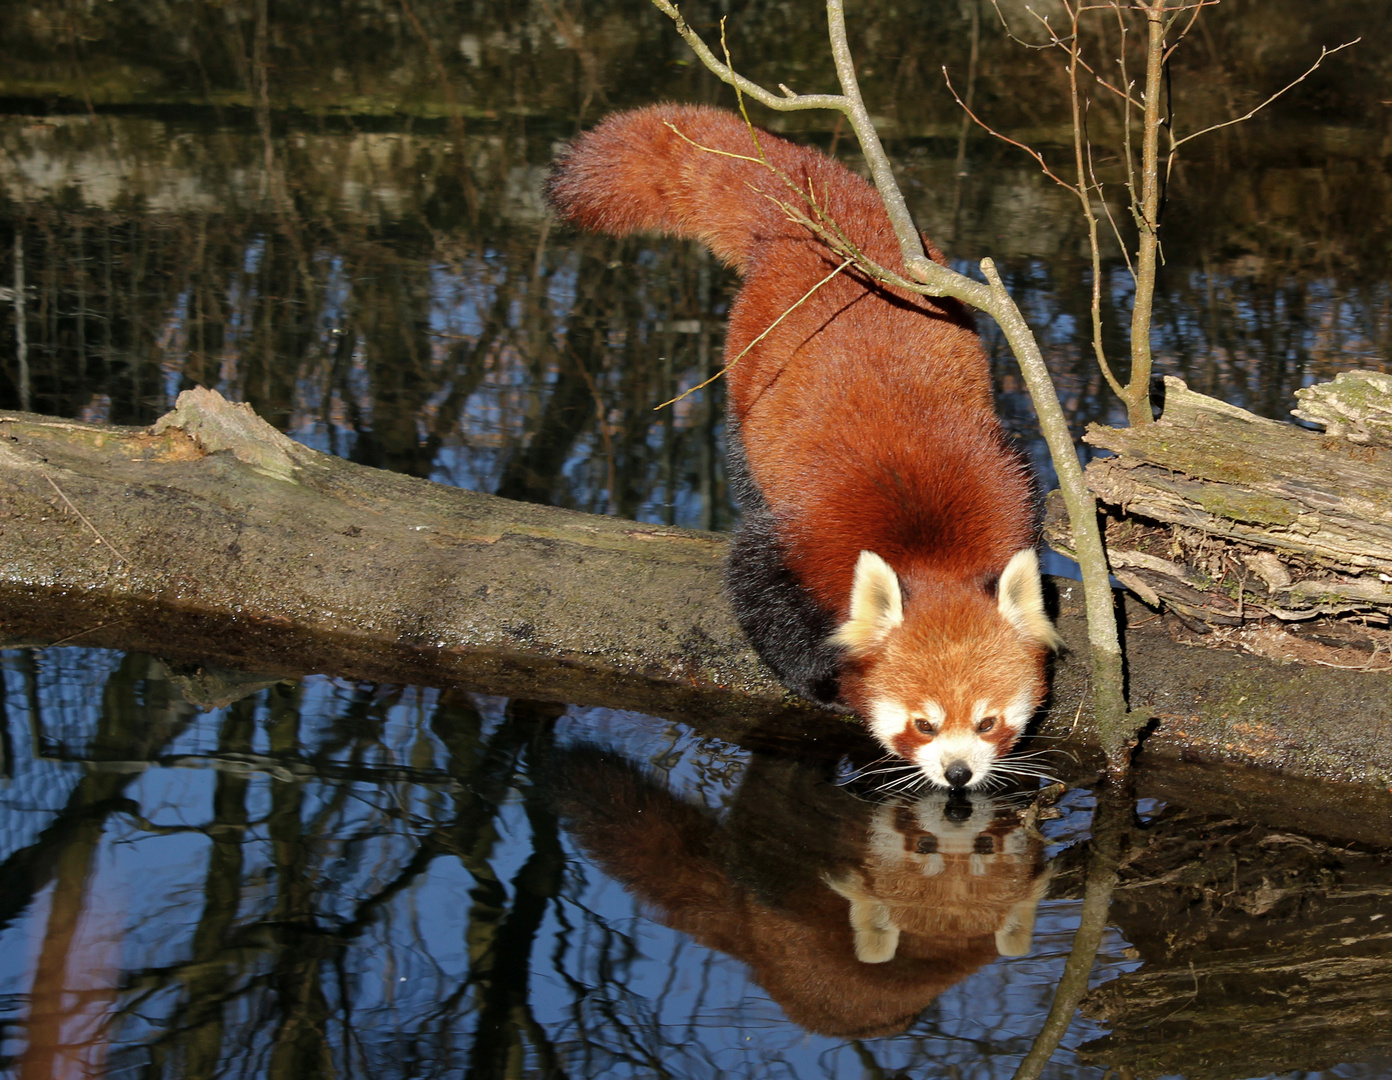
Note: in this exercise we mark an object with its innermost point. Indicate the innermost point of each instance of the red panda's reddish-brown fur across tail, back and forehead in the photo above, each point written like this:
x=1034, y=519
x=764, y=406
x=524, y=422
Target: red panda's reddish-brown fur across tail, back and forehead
x=867, y=414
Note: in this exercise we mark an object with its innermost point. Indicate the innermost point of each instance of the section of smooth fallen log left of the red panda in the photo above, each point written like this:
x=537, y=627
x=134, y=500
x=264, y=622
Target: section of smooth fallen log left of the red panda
x=214, y=538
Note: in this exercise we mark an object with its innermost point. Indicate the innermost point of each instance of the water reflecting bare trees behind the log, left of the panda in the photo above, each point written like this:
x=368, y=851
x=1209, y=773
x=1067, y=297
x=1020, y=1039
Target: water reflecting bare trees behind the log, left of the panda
x=403, y=347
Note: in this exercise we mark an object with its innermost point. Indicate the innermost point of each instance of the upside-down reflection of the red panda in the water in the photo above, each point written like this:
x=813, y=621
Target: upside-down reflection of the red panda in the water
x=853, y=916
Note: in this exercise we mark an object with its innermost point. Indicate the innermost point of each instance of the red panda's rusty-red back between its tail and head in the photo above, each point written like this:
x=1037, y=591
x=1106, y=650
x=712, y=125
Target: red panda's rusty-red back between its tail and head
x=869, y=425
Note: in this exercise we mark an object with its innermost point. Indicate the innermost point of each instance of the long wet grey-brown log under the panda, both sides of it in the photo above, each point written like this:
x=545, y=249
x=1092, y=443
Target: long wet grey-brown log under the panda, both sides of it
x=215, y=542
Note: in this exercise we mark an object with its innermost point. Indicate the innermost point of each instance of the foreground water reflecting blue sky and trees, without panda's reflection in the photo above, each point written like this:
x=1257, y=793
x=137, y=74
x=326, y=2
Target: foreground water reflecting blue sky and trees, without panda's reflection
x=278, y=869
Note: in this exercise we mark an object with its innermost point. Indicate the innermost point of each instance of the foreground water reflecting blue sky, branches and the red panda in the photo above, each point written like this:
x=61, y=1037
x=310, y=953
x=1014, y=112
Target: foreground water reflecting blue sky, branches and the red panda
x=222, y=877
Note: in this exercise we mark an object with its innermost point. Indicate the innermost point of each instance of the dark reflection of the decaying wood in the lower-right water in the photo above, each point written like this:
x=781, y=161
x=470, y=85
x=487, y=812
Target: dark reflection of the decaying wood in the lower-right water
x=1263, y=951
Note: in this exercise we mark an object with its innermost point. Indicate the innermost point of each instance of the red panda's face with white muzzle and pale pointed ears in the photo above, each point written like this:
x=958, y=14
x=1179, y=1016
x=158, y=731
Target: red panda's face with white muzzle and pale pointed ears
x=951, y=684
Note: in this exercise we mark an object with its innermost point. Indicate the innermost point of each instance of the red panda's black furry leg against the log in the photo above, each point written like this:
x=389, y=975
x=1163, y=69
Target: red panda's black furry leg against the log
x=780, y=619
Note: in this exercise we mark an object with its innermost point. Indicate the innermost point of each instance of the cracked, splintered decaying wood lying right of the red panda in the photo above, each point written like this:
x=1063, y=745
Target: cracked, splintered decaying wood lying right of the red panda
x=1227, y=517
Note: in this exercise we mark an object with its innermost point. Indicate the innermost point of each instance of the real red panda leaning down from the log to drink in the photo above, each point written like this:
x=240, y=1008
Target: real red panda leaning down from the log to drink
x=886, y=555
